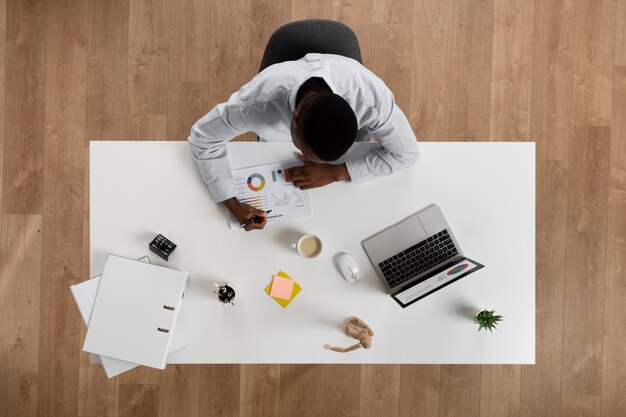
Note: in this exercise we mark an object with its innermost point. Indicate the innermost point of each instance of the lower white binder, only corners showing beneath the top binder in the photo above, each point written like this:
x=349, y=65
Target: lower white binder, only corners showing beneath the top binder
x=85, y=296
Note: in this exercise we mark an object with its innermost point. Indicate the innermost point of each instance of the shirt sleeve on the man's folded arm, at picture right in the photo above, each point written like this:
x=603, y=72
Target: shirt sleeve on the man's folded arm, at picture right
x=397, y=146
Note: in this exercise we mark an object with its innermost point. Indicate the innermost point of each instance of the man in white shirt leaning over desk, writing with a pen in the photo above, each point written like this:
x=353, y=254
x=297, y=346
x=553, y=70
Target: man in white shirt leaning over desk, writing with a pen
x=321, y=102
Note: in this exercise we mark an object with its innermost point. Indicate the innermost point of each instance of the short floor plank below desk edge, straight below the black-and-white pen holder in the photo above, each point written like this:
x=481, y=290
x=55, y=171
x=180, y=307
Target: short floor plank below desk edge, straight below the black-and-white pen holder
x=220, y=388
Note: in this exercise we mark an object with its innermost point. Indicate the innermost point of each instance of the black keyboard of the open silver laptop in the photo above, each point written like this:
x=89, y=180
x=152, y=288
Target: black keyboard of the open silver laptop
x=418, y=258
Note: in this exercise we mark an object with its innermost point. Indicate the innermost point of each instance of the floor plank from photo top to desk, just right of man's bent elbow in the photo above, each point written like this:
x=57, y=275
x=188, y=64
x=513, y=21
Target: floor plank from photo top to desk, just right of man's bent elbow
x=431, y=68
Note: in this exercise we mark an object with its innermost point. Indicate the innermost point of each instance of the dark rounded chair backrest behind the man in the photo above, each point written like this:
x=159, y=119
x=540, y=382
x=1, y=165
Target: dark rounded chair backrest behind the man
x=296, y=39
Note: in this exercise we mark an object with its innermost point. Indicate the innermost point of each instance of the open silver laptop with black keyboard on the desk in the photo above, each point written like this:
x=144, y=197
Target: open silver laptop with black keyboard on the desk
x=416, y=249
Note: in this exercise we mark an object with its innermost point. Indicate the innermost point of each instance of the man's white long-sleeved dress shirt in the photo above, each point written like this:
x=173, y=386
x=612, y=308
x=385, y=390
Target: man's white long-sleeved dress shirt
x=265, y=106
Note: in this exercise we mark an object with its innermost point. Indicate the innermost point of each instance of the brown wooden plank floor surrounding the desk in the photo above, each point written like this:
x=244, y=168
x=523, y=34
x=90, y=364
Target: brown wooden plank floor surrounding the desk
x=549, y=71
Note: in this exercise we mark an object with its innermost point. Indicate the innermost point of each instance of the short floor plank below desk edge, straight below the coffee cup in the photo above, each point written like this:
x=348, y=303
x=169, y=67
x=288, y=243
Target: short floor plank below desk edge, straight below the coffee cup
x=300, y=387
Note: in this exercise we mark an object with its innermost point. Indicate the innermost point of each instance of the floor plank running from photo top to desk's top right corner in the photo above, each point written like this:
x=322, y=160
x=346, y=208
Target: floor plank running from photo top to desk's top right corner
x=511, y=70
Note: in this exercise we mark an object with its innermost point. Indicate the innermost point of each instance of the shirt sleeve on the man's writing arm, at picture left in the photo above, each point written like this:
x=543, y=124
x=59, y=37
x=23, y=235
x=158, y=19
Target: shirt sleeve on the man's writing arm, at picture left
x=208, y=139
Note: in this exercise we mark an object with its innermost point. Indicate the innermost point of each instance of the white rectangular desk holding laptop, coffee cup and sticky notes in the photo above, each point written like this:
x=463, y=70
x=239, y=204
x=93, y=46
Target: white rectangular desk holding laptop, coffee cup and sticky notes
x=486, y=191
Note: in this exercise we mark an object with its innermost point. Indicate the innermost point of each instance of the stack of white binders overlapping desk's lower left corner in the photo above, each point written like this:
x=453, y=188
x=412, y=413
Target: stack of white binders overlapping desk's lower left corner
x=131, y=312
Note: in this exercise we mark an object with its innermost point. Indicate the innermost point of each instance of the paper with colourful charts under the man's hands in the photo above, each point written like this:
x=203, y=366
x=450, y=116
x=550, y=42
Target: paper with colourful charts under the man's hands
x=268, y=187
